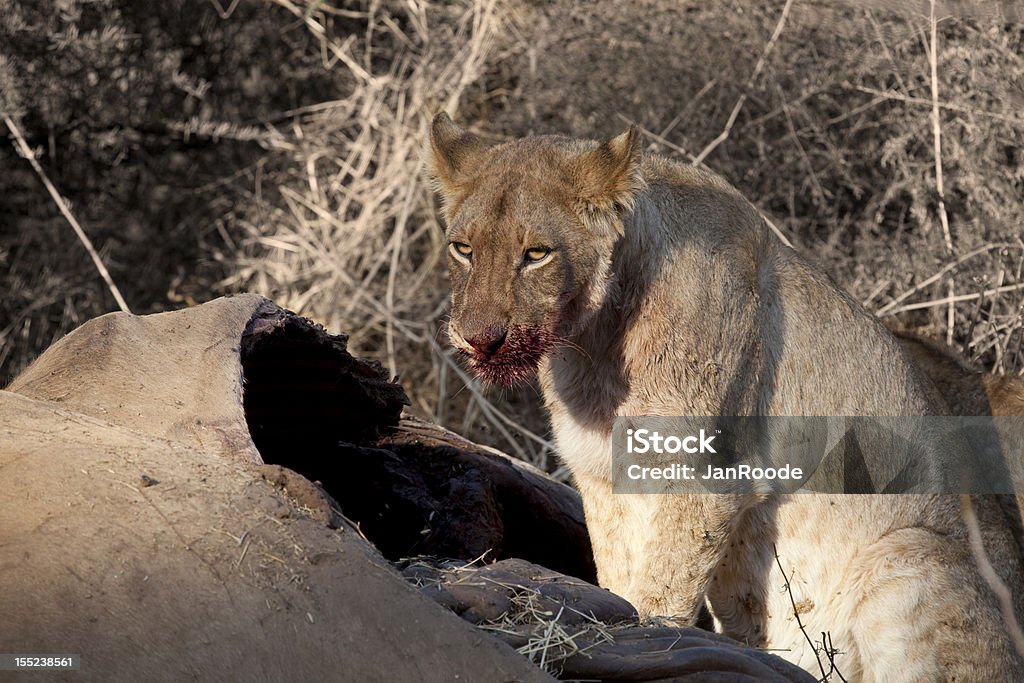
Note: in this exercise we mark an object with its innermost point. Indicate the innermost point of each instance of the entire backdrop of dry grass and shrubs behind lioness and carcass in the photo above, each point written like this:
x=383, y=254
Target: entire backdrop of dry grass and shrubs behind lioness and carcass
x=276, y=147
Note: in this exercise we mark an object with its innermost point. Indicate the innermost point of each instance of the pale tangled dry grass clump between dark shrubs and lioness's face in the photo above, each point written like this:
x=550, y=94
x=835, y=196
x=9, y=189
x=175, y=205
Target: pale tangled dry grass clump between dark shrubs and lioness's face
x=338, y=222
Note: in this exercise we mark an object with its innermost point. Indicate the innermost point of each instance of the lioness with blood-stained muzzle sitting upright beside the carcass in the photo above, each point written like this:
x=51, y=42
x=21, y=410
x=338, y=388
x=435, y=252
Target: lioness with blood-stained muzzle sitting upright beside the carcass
x=637, y=286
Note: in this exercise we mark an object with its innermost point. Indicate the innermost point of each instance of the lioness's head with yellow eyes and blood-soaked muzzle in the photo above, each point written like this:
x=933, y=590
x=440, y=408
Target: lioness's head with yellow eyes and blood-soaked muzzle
x=532, y=226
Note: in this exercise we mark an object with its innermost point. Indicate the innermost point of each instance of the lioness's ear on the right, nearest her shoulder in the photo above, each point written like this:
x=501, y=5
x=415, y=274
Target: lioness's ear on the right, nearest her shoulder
x=609, y=178
